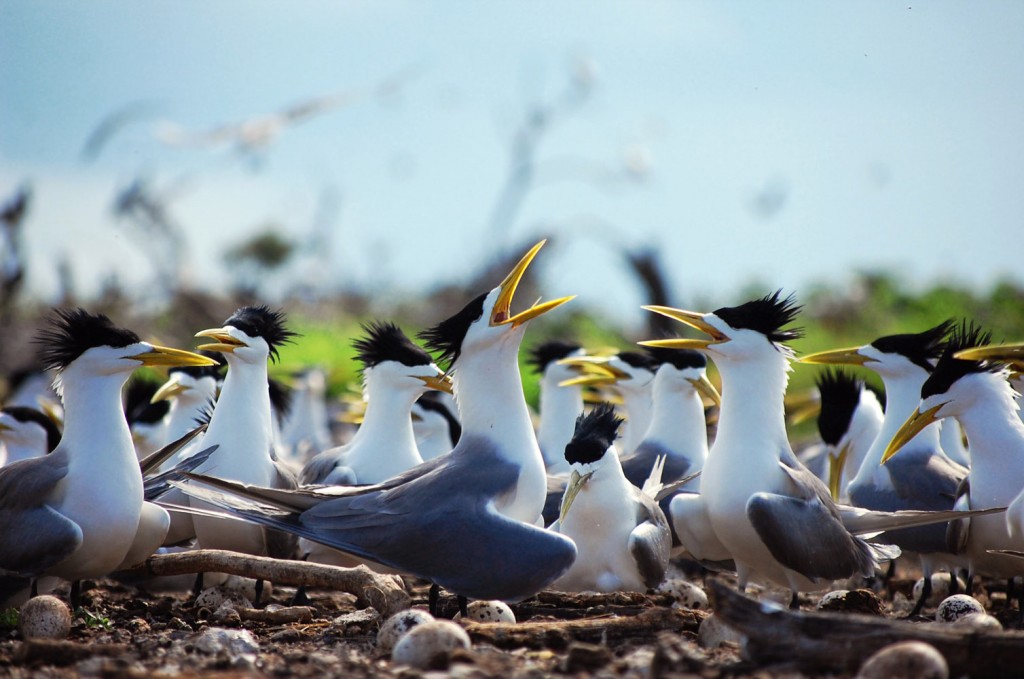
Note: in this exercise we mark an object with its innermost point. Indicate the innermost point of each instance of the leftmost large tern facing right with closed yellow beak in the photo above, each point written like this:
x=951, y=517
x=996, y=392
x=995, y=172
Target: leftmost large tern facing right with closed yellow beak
x=51, y=521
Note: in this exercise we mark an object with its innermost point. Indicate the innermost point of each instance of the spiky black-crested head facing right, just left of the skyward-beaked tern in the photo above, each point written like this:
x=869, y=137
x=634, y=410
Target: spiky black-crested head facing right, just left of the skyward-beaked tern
x=388, y=354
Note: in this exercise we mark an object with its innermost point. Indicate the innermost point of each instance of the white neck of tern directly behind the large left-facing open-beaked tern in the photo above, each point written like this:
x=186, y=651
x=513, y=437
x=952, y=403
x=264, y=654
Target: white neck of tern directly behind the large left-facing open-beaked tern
x=678, y=420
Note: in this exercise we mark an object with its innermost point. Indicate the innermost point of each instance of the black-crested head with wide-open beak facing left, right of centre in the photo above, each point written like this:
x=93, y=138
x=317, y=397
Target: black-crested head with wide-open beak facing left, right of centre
x=741, y=332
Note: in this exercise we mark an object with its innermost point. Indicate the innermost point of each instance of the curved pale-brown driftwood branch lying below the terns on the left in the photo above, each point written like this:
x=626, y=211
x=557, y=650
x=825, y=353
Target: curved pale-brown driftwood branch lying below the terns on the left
x=386, y=593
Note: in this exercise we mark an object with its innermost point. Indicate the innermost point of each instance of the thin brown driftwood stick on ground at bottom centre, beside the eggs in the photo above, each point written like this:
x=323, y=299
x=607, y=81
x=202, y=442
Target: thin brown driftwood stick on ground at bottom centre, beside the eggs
x=558, y=635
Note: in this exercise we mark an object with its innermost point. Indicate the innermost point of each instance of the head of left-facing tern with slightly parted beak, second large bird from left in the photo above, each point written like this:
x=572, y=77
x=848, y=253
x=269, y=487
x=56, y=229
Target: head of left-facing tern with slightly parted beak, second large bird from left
x=252, y=334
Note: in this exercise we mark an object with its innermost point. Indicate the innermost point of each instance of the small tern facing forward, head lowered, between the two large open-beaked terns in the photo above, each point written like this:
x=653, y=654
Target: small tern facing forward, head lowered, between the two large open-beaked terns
x=622, y=536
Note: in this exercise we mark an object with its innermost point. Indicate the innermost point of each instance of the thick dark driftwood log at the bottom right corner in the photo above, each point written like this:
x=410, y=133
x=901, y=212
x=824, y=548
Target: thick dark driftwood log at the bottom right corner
x=819, y=643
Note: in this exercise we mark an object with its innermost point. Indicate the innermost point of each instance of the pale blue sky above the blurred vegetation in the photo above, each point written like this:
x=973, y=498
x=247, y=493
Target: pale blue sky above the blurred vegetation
x=880, y=136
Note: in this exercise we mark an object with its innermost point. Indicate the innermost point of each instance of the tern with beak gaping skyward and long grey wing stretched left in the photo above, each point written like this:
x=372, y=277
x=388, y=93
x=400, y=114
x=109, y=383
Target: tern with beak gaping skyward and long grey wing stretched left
x=466, y=521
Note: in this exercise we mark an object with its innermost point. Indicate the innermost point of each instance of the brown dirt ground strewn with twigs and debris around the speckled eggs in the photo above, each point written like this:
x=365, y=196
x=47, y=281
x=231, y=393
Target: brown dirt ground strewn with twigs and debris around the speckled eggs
x=132, y=632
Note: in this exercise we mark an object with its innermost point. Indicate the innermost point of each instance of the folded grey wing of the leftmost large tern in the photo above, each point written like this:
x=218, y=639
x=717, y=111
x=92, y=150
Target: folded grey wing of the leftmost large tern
x=34, y=536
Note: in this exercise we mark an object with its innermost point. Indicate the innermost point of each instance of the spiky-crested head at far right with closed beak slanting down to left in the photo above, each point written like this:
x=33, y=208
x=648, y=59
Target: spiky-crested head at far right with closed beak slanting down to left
x=951, y=390
